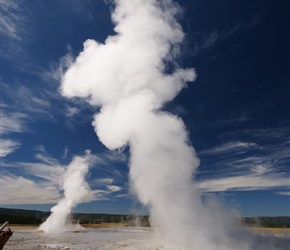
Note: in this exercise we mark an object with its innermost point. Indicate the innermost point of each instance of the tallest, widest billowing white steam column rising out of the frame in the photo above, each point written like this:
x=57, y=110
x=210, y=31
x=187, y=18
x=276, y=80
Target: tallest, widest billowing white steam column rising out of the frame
x=129, y=79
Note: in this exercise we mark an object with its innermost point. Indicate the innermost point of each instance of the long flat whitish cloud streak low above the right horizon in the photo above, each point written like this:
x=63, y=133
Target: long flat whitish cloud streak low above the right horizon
x=243, y=183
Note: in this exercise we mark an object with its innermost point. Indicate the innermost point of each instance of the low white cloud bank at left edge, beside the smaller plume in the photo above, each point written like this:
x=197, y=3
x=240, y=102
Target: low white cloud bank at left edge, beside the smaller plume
x=32, y=182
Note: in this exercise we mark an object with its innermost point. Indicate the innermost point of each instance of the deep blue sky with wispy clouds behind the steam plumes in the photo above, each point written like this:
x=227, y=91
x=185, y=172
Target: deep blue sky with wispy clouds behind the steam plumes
x=236, y=111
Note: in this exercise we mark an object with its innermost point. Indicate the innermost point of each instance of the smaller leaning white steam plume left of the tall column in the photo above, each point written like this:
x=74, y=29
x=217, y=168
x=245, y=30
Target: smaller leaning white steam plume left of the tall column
x=75, y=190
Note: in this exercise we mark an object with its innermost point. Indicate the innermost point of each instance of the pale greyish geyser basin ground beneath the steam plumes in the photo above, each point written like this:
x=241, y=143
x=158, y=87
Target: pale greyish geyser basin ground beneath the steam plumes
x=26, y=238
